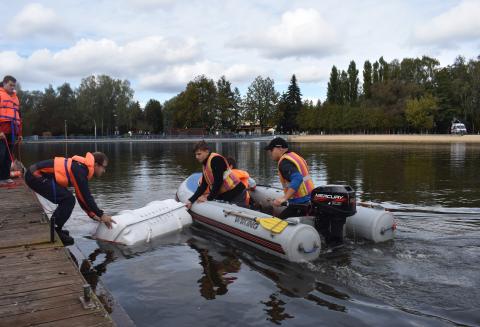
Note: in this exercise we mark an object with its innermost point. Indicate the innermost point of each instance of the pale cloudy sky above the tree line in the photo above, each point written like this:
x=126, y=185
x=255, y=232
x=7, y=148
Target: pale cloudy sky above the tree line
x=160, y=45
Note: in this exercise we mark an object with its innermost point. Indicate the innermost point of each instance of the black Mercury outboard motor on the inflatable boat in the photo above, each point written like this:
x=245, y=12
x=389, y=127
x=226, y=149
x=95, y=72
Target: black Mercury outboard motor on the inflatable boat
x=331, y=205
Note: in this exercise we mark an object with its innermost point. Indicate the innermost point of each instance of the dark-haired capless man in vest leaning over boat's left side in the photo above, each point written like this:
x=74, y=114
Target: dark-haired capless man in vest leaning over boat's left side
x=222, y=182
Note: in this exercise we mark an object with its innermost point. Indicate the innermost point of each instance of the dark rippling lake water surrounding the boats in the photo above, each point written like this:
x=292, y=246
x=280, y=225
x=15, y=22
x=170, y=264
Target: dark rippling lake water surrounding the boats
x=428, y=276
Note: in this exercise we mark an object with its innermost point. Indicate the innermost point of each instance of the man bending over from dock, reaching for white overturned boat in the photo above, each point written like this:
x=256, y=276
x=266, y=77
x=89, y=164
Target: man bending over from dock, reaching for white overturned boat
x=50, y=179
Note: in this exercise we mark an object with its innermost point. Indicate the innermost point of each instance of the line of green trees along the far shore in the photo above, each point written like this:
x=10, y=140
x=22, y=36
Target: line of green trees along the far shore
x=408, y=96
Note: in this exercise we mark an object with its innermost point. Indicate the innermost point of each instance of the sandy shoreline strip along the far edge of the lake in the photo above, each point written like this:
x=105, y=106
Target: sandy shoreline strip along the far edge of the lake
x=334, y=138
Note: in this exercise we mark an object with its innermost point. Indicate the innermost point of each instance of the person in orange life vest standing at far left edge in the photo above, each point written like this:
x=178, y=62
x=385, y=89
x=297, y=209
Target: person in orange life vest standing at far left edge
x=10, y=126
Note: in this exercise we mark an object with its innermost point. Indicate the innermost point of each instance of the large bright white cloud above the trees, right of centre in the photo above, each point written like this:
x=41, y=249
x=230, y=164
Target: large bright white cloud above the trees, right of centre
x=302, y=32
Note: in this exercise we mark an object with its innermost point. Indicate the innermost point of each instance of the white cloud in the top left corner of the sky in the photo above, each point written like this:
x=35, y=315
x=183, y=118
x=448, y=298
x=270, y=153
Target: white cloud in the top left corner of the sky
x=36, y=20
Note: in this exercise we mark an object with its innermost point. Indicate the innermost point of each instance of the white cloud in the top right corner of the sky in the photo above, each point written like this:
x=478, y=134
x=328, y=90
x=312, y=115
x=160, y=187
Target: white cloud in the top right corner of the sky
x=460, y=23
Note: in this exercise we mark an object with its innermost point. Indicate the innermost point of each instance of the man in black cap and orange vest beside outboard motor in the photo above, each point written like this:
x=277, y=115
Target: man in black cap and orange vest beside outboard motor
x=294, y=176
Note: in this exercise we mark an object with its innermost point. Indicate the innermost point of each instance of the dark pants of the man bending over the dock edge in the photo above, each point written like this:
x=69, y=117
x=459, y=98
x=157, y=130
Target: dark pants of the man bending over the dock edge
x=50, y=190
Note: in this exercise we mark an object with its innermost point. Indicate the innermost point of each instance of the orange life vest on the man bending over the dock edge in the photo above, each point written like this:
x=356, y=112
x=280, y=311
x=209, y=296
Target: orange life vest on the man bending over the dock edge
x=62, y=168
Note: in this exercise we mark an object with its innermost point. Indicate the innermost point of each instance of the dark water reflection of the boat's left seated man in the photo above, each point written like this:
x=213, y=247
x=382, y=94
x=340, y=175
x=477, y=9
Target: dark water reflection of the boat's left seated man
x=215, y=279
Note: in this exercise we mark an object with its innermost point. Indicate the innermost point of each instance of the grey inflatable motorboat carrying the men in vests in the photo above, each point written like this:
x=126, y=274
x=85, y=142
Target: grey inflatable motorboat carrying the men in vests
x=299, y=241
